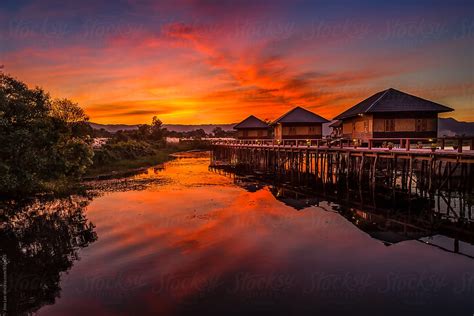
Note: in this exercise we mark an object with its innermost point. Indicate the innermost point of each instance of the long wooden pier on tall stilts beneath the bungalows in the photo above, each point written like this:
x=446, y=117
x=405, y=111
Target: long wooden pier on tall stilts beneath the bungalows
x=404, y=166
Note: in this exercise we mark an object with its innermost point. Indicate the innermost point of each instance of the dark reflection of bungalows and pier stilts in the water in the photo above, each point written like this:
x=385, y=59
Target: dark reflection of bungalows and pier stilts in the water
x=388, y=215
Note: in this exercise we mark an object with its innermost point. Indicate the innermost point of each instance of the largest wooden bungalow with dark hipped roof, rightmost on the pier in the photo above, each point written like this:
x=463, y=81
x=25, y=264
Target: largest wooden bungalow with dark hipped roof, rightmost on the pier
x=391, y=114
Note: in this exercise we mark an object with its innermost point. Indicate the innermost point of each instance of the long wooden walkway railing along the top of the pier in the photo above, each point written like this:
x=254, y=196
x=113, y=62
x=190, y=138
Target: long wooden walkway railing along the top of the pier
x=457, y=144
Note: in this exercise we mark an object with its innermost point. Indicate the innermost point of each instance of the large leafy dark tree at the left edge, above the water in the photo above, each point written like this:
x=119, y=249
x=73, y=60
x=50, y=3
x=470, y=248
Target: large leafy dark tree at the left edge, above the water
x=45, y=142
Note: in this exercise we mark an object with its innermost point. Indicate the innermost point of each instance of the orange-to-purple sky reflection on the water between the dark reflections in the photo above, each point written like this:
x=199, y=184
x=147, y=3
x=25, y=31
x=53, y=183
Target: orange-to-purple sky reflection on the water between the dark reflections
x=180, y=245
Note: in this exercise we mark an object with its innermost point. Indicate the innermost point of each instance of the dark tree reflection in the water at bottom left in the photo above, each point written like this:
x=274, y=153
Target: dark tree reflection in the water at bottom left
x=39, y=241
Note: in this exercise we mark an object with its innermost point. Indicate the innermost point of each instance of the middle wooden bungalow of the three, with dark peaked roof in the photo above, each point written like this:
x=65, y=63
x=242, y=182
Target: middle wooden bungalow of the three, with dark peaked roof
x=299, y=123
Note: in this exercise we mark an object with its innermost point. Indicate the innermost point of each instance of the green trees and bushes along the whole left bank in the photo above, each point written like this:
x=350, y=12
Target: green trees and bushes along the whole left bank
x=48, y=145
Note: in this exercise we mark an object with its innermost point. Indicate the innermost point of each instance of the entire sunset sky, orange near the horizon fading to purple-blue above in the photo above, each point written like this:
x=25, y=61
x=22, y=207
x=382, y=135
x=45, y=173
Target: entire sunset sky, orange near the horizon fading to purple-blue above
x=196, y=62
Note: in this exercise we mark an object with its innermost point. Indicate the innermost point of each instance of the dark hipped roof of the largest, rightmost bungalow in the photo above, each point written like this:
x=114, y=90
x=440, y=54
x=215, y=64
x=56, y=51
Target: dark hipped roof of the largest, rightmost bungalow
x=392, y=100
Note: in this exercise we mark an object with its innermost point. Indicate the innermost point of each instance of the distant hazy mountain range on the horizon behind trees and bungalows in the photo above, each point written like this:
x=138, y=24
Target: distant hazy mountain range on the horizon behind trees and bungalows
x=446, y=127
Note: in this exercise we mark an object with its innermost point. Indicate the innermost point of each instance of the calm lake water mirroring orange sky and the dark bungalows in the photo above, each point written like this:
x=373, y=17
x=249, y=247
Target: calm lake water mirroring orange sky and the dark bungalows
x=187, y=240
